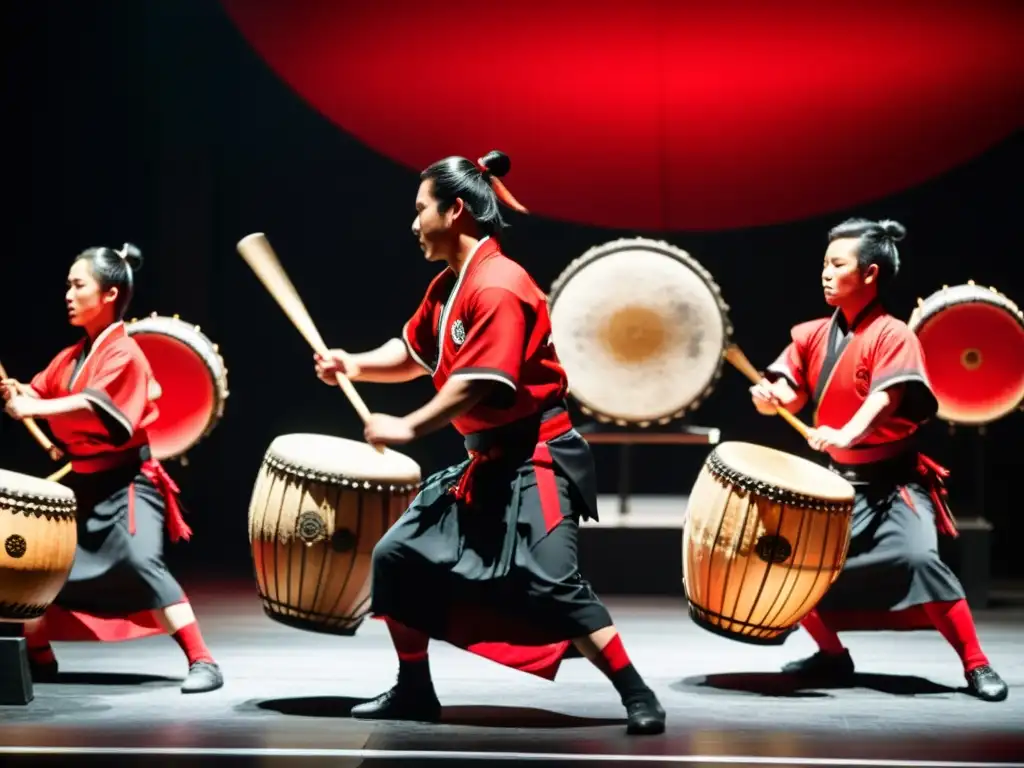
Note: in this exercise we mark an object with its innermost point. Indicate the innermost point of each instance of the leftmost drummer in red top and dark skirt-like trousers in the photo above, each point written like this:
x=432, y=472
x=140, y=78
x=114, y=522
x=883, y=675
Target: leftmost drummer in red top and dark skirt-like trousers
x=97, y=399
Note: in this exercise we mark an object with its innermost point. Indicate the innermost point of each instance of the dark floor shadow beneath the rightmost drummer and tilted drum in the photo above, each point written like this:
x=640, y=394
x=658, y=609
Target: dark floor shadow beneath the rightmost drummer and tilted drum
x=781, y=686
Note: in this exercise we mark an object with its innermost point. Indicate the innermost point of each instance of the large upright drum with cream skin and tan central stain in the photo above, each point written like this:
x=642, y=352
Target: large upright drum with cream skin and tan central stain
x=641, y=328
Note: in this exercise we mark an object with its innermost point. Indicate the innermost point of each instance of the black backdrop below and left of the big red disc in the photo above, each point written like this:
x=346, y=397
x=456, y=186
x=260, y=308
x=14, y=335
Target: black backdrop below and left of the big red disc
x=158, y=124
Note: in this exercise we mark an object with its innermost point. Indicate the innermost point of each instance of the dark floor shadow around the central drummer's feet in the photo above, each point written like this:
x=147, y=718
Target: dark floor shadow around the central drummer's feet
x=479, y=716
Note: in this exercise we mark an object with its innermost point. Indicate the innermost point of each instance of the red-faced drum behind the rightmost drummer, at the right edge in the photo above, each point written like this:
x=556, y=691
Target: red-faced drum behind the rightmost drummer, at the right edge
x=974, y=351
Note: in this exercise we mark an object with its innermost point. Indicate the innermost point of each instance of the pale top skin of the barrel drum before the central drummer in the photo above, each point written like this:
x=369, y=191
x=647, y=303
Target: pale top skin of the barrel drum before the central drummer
x=338, y=457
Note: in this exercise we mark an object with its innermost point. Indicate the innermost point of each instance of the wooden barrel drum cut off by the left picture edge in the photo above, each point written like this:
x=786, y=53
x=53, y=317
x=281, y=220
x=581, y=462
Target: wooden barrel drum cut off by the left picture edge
x=38, y=535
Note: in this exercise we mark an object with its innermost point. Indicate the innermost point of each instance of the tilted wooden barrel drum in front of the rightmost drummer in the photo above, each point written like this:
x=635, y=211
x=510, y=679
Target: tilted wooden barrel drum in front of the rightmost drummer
x=766, y=535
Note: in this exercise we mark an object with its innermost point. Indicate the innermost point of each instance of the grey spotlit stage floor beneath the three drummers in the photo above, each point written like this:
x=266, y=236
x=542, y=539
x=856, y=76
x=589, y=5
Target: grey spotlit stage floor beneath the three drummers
x=288, y=693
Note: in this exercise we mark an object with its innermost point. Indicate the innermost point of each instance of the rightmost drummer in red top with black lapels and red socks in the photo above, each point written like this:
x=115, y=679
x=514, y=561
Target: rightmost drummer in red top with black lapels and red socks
x=865, y=373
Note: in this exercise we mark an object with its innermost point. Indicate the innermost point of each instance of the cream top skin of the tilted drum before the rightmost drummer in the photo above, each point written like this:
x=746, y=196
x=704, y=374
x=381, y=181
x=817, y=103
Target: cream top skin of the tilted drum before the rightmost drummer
x=785, y=472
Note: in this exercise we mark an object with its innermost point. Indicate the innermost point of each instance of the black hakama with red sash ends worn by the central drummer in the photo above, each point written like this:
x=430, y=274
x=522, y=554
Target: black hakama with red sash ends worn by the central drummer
x=500, y=570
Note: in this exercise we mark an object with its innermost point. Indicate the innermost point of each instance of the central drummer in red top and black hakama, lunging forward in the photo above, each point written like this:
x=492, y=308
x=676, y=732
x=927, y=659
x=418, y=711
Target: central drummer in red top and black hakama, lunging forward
x=486, y=558
